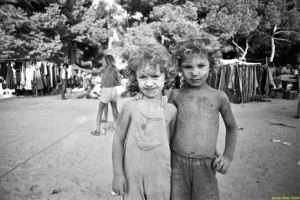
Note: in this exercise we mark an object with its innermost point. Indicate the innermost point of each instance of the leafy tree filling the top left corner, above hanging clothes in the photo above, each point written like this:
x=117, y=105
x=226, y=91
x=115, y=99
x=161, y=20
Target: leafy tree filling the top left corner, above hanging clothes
x=38, y=29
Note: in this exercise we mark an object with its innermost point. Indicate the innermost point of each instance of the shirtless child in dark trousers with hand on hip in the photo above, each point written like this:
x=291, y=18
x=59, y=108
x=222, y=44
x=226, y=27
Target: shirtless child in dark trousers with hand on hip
x=194, y=160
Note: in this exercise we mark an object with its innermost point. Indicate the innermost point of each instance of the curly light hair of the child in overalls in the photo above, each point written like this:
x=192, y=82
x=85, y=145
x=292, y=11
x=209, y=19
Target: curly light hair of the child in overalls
x=153, y=54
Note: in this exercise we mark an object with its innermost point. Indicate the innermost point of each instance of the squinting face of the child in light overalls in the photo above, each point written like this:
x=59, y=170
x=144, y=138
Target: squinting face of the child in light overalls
x=150, y=81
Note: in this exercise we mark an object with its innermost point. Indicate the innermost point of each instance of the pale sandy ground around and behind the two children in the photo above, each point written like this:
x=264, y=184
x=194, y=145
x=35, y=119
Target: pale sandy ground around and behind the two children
x=46, y=145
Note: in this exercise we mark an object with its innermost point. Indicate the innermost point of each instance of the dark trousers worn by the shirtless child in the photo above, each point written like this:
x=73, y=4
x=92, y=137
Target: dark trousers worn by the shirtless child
x=193, y=178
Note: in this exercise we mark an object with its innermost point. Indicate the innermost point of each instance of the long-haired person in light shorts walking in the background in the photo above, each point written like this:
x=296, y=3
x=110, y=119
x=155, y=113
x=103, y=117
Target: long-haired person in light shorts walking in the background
x=109, y=79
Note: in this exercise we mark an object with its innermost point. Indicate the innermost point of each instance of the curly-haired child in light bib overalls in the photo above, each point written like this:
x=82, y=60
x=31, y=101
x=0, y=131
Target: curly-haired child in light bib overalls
x=141, y=153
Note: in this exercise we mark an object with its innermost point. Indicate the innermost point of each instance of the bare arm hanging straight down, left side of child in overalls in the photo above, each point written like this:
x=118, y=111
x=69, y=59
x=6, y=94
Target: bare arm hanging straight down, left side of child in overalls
x=119, y=182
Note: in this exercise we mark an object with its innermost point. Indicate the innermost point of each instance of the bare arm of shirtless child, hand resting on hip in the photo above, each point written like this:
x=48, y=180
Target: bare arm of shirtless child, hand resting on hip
x=222, y=163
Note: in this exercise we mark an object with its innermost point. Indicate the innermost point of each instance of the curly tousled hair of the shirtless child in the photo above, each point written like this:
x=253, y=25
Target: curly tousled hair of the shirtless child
x=204, y=43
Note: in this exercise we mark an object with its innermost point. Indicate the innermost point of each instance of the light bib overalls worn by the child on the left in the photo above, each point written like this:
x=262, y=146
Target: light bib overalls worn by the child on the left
x=147, y=155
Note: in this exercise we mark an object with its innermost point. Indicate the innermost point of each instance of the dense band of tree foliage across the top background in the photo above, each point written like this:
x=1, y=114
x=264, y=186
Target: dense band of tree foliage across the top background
x=246, y=29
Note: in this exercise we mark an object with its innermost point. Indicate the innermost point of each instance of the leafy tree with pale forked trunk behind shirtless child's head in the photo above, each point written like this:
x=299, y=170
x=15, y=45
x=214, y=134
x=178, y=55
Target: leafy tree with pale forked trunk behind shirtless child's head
x=230, y=20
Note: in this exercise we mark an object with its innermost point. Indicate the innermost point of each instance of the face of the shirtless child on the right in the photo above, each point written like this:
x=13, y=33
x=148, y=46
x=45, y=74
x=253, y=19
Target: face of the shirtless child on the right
x=195, y=69
